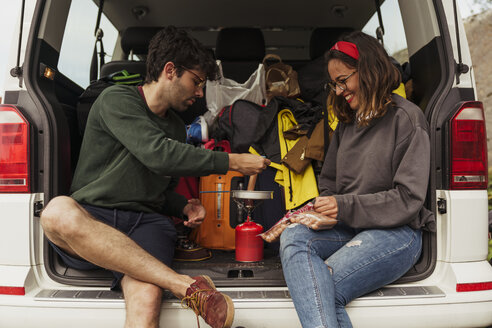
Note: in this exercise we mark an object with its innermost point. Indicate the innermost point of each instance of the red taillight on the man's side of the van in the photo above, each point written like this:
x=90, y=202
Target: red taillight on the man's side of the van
x=14, y=151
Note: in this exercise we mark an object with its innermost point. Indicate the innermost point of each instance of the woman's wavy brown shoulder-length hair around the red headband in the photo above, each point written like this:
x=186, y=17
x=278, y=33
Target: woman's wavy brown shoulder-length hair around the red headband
x=378, y=77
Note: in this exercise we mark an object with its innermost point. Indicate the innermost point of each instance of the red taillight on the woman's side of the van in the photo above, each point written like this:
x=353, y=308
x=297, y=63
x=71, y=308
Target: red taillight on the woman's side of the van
x=469, y=148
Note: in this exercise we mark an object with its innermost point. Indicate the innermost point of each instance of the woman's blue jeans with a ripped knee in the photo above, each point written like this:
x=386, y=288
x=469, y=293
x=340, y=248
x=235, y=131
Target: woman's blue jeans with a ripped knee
x=326, y=269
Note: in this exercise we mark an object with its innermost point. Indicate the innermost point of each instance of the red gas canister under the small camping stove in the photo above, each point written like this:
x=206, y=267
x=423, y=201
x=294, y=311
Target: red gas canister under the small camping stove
x=249, y=246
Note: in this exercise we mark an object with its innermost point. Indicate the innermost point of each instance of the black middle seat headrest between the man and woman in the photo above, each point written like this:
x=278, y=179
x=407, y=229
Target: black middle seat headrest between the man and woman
x=240, y=44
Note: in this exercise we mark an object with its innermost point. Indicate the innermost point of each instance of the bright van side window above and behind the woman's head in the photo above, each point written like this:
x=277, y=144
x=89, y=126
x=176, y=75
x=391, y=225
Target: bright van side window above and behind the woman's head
x=394, y=38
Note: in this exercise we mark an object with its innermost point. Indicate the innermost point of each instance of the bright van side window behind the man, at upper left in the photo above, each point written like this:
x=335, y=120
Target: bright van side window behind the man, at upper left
x=78, y=41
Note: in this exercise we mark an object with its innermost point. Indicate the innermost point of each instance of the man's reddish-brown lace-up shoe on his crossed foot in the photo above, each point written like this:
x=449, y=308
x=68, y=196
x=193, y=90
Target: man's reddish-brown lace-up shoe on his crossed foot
x=214, y=307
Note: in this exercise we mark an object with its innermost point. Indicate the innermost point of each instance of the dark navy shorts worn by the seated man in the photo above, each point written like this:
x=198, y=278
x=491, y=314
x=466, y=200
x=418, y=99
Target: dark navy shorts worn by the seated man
x=154, y=232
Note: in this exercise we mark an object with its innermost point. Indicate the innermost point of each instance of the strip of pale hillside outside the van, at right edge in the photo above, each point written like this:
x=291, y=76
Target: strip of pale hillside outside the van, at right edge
x=479, y=34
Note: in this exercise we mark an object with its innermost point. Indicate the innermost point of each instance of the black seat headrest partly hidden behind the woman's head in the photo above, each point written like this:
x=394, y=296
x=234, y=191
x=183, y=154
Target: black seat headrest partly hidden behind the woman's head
x=323, y=38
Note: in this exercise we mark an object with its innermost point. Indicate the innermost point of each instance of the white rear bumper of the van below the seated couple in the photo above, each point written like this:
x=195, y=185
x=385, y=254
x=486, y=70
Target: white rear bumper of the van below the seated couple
x=62, y=308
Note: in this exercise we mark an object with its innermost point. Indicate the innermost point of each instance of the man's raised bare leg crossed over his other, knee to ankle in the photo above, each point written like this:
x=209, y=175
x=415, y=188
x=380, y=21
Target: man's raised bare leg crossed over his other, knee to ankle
x=72, y=228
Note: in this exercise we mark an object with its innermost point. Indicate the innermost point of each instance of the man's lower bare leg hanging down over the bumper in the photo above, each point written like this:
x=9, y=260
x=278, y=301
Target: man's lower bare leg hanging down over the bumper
x=143, y=303
